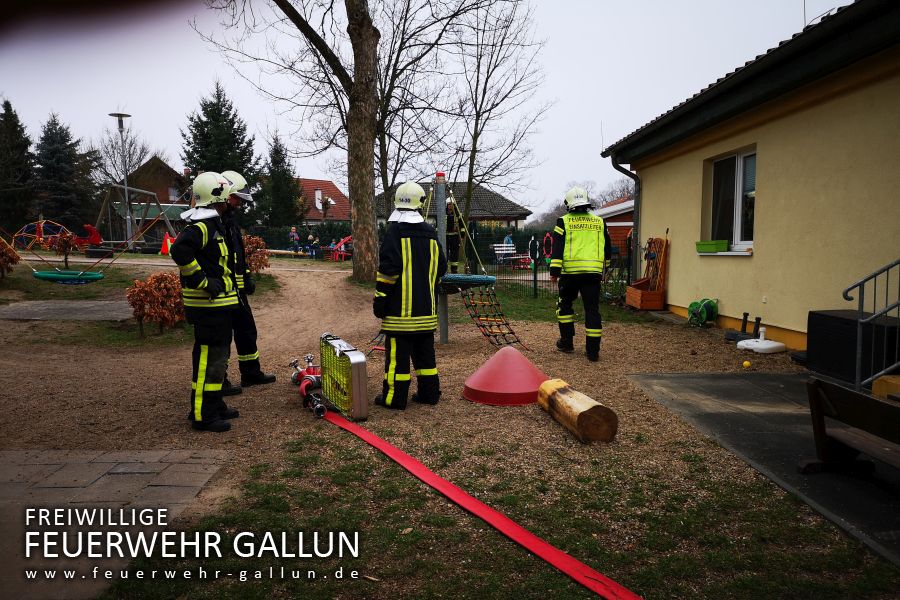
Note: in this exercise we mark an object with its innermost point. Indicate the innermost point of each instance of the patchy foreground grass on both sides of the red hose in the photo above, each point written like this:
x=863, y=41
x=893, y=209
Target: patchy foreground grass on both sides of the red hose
x=725, y=539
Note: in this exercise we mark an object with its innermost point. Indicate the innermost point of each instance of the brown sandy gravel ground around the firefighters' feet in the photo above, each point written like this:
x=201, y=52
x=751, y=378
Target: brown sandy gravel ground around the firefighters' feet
x=68, y=397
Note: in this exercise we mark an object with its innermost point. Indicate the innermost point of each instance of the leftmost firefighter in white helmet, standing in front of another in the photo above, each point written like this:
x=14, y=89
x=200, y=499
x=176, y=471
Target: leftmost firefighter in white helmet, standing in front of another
x=207, y=286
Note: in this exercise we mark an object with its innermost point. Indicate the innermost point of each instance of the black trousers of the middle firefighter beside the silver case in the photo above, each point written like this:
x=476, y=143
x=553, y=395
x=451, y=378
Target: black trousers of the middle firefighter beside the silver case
x=398, y=349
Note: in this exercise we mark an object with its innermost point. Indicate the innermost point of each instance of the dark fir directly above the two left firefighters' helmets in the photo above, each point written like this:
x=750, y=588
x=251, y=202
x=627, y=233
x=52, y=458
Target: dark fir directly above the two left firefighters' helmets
x=216, y=139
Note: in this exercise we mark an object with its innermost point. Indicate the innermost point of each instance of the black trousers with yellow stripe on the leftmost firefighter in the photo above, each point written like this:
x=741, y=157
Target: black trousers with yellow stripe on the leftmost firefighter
x=212, y=345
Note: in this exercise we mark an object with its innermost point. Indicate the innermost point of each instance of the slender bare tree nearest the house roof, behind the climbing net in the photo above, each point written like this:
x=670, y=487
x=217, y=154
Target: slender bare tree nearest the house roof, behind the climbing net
x=496, y=51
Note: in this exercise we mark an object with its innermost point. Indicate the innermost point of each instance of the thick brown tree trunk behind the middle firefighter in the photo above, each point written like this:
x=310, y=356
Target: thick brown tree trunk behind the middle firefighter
x=361, y=139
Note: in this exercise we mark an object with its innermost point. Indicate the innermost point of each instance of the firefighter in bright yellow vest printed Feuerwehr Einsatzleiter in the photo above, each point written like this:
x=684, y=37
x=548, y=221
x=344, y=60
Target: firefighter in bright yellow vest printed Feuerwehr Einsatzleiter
x=580, y=242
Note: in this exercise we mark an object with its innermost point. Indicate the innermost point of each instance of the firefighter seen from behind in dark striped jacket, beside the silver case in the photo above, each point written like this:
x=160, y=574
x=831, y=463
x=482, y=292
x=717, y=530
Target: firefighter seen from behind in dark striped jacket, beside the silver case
x=410, y=262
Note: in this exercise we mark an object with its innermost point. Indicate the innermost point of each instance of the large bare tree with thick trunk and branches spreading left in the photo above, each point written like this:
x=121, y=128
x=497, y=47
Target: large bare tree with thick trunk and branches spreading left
x=307, y=40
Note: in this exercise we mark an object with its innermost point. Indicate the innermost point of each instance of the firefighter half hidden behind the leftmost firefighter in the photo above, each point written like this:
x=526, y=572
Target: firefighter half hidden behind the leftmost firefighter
x=243, y=323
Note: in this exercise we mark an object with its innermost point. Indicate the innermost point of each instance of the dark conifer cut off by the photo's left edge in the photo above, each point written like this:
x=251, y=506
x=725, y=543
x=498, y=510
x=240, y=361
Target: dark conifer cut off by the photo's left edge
x=16, y=171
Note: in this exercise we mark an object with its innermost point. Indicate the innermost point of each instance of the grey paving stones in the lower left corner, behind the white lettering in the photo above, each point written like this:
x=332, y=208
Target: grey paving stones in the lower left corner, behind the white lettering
x=168, y=479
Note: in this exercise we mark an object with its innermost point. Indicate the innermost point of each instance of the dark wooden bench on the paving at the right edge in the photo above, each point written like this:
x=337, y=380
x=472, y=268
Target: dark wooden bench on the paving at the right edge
x=874, y=429
